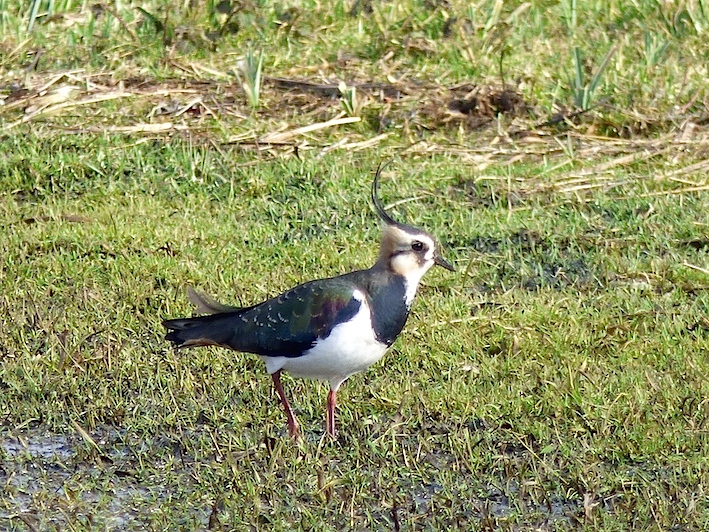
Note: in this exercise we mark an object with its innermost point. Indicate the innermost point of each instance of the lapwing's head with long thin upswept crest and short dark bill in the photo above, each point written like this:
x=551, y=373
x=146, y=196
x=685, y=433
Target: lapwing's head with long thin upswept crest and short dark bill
x=405, y=250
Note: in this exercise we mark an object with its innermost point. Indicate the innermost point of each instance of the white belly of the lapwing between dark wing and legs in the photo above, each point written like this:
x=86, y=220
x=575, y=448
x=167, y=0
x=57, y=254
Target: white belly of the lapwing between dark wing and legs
x=350, y=348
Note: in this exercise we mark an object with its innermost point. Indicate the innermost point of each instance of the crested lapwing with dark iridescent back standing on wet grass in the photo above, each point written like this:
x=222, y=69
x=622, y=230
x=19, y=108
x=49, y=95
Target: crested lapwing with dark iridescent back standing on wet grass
x=327, y=329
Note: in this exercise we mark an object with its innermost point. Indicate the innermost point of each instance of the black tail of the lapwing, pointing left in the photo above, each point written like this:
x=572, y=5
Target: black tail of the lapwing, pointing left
x=216, y=329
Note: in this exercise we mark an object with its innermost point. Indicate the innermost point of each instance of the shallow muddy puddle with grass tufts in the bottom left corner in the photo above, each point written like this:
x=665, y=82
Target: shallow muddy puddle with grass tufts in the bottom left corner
x=57, y=481
